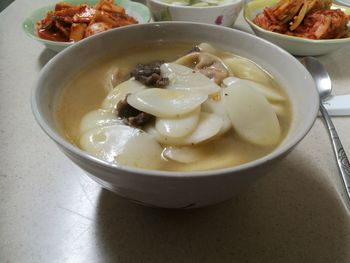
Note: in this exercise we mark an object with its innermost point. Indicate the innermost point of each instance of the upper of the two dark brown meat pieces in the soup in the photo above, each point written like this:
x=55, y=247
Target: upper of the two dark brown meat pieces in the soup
x=150, y=74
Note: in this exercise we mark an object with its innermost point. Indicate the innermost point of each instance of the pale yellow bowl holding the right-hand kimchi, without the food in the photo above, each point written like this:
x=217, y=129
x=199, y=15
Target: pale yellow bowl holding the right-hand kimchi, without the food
x=295, y=45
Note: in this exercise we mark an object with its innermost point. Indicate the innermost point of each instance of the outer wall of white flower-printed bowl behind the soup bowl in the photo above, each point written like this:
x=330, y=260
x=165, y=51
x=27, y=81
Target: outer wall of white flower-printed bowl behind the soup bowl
x=224, y=15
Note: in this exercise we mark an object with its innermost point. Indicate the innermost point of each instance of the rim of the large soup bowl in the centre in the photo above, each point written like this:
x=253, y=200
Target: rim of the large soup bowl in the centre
x=278, y=152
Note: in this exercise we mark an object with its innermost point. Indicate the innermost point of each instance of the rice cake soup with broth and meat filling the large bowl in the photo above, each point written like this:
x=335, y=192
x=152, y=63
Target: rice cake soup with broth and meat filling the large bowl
x=163, y=107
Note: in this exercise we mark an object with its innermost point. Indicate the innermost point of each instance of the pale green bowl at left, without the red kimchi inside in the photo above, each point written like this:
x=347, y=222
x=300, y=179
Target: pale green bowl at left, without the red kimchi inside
x=137, y=10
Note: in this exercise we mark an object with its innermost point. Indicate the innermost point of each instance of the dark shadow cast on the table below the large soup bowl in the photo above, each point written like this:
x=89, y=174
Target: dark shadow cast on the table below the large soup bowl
x=301, y=221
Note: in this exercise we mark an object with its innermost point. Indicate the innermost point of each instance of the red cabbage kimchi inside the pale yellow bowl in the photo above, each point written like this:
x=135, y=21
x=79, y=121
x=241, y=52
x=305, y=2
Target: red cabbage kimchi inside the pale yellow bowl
x=313, y=19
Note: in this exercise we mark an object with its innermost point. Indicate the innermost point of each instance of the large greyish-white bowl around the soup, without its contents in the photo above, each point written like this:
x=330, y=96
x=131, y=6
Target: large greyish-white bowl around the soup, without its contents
x=176, y=189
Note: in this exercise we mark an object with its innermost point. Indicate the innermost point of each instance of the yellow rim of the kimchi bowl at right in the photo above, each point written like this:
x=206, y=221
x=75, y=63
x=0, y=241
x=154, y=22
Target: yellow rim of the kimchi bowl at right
x=296, y=39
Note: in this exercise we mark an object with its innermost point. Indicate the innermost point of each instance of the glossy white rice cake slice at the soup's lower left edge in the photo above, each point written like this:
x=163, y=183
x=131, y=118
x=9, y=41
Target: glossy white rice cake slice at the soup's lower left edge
x=123, y=145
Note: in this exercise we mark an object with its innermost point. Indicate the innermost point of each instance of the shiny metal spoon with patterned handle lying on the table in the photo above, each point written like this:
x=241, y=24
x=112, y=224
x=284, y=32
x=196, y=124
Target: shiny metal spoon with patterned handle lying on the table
x=324, y=87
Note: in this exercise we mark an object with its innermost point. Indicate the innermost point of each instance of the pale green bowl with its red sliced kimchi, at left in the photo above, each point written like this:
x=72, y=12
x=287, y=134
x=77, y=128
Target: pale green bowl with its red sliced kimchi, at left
x=65, y=23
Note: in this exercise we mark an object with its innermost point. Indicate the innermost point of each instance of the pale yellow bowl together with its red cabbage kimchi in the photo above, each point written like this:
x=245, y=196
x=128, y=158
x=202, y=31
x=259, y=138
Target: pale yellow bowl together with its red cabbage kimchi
x=302, y=27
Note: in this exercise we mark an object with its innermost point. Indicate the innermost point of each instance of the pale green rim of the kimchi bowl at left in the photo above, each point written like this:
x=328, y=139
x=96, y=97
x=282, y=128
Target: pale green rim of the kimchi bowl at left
x=27, y=21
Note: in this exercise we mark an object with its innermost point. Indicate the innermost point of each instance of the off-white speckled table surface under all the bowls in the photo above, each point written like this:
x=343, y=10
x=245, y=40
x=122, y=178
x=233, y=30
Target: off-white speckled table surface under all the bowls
x=51, y=212
